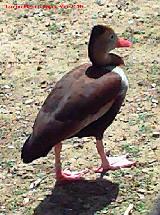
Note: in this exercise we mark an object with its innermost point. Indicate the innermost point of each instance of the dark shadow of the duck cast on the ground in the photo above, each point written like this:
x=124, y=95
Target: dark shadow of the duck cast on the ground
x=78, y=198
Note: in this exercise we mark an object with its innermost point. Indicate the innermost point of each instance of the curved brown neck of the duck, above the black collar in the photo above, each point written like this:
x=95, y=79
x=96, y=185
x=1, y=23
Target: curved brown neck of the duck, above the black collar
x=99, y=57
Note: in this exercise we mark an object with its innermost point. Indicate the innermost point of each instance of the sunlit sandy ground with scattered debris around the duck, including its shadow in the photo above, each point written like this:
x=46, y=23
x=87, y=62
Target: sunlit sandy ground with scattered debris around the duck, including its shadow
x=37, y=48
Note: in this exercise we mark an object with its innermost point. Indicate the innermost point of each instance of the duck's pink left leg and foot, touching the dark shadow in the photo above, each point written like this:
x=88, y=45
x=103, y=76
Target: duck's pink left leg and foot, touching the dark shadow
x=64, y=175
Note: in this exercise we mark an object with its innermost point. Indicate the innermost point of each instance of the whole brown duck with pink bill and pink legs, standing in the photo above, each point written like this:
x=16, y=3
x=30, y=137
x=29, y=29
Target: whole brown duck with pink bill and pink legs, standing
x=83, y=103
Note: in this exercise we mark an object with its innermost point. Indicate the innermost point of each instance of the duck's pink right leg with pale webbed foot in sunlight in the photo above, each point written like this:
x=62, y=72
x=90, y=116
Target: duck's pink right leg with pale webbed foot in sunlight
x=111, y=163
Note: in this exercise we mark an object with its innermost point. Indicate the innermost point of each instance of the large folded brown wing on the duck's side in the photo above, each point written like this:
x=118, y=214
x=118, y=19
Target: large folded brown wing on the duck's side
x=75, y=103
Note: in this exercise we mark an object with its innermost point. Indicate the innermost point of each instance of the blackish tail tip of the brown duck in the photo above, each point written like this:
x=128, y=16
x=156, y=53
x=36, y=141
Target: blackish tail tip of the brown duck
x=34, y=148
